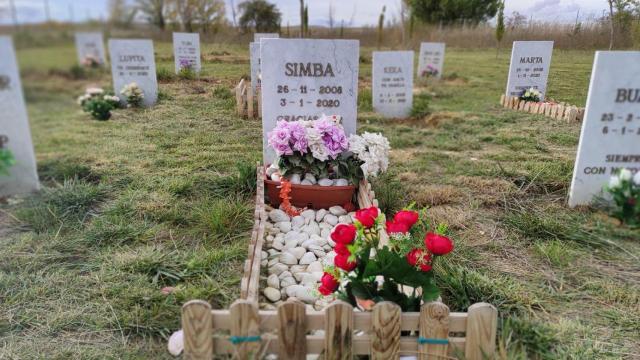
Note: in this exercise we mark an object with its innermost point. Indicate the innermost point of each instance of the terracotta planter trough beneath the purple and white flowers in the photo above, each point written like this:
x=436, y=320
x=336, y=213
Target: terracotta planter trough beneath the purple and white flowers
x=311, y=196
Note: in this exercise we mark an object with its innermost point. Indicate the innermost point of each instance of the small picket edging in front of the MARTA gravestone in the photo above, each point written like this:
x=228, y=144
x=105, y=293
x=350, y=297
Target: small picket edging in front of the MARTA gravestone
x=558, y=111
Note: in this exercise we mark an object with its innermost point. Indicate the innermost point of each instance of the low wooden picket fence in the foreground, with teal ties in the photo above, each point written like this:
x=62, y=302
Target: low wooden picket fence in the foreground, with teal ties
x=291, y=331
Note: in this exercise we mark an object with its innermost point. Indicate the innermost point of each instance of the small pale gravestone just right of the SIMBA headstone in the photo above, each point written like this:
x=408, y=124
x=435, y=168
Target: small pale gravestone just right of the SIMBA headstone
x=393, y=83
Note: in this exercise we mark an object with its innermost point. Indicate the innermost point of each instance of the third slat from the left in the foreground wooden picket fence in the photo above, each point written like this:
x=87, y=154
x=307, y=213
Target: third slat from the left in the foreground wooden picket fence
x=292, y=331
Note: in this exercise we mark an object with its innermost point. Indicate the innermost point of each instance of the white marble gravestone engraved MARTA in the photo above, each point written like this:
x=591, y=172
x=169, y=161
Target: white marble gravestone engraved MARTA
x=530, y=62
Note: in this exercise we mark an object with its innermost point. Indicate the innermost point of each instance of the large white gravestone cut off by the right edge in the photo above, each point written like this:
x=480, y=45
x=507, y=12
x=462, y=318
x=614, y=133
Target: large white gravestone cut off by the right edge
x=610, y=137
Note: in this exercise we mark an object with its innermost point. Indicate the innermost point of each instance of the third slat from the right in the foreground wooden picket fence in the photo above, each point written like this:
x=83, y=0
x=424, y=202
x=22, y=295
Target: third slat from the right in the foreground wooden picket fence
x=385, y=320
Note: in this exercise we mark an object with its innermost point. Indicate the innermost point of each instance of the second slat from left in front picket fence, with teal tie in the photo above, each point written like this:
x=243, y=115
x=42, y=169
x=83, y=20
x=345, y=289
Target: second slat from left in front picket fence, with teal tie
x=245, y=323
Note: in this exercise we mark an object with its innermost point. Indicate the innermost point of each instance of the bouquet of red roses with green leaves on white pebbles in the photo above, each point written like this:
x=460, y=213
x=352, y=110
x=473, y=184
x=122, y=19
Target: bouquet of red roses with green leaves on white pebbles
x=364, y=274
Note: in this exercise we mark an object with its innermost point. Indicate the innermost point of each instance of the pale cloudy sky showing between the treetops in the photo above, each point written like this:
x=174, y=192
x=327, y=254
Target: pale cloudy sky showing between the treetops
x=352, y=12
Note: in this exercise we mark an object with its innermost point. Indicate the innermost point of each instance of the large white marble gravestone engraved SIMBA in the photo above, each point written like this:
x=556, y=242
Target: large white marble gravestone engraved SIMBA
x=303, y=79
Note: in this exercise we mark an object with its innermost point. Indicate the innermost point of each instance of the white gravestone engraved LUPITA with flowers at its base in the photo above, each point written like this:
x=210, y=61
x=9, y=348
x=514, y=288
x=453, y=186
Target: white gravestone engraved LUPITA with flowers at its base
x=133, y=61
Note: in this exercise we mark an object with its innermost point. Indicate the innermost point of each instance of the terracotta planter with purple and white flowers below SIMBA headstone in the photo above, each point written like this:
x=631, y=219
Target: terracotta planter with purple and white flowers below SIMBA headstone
x=318, y=166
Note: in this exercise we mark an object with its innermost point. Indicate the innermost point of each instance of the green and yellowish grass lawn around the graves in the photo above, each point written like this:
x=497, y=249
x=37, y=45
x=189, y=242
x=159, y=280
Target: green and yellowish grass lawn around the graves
x=163, y=197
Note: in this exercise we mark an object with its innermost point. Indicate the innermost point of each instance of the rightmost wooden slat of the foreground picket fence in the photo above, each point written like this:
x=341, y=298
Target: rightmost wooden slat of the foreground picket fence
x=482, y=324
